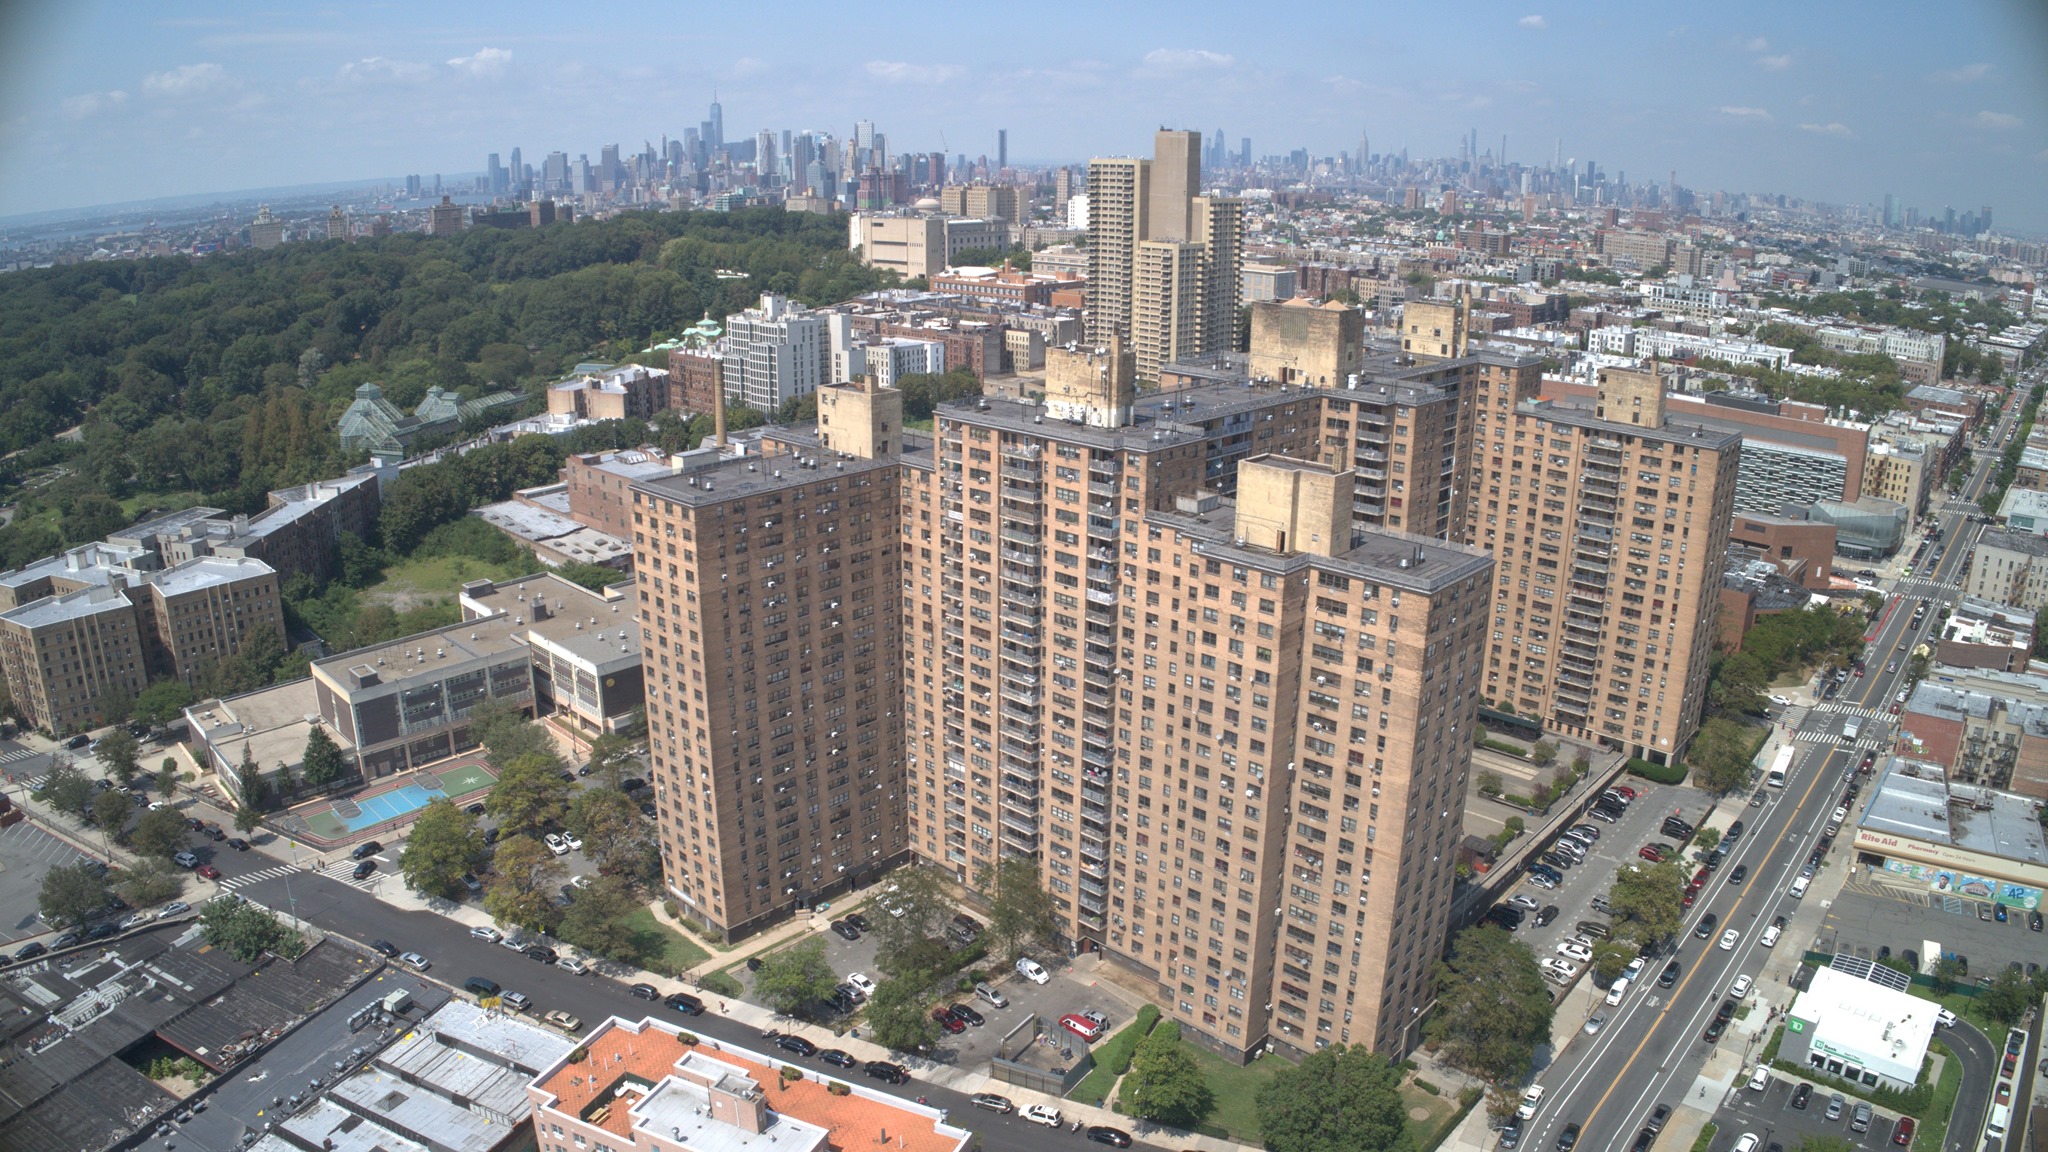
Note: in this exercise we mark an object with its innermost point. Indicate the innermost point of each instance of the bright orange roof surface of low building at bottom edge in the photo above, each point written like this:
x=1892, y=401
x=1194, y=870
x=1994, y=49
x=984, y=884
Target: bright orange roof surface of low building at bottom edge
x=652, y=1053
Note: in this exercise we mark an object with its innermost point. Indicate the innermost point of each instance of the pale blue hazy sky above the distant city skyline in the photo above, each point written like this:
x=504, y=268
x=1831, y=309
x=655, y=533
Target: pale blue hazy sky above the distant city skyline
x=1838, y=101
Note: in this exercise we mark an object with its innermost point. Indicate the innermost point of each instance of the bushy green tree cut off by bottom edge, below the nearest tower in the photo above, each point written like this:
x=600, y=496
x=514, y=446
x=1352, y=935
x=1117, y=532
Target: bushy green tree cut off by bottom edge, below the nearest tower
x=1338, y=1100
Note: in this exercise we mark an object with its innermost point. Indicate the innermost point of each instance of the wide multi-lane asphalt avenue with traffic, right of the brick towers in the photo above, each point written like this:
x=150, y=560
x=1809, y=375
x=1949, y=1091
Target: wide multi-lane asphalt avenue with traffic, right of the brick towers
x=1652, y=1048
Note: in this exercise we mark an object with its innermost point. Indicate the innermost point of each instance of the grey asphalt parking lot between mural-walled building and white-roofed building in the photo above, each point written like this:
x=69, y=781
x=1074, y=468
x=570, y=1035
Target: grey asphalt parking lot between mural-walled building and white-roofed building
x=1869, y=917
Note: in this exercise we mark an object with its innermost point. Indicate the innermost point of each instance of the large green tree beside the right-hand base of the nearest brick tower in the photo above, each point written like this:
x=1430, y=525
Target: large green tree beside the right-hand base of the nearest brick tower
x=1492, y=1005
